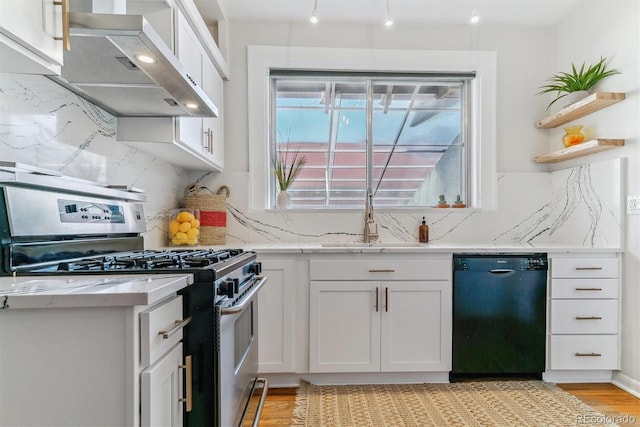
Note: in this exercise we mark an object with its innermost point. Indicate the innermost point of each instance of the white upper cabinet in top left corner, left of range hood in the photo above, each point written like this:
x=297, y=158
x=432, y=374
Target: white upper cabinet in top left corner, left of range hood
x=31, y=33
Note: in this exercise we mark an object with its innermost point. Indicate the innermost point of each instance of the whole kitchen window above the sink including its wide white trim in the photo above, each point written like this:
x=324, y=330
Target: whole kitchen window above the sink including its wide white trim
x=432, y=128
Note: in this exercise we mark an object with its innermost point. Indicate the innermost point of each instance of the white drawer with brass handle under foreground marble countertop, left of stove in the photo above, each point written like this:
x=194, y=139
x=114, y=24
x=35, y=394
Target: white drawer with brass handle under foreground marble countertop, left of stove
x=153, y=323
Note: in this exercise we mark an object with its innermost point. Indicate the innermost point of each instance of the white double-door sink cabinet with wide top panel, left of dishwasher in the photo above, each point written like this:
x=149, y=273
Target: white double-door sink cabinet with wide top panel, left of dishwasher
x=398, y=323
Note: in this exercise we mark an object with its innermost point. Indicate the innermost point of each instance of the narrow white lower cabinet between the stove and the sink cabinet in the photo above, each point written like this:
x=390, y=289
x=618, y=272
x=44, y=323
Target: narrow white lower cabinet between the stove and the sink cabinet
x=276, y=317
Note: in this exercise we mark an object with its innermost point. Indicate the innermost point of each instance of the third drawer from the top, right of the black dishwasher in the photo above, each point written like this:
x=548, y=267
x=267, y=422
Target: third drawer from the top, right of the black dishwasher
x=584, y=316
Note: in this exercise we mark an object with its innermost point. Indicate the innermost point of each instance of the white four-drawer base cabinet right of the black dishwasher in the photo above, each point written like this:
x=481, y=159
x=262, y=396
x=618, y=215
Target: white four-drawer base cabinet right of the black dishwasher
x=584, y=312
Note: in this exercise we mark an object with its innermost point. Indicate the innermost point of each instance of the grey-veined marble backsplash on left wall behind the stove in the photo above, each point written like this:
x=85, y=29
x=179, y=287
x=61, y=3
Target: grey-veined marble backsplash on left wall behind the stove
x=45, y=125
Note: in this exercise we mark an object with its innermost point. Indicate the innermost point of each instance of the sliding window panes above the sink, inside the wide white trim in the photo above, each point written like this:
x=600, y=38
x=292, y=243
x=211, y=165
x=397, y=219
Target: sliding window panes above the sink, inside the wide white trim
x=401, y=137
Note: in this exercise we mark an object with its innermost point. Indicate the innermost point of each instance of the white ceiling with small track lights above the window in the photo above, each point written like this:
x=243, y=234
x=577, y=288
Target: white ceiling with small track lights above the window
x=510, y=12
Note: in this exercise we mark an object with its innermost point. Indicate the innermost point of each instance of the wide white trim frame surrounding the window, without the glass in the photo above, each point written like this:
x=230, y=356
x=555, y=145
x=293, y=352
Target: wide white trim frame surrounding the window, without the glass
x=482, y=144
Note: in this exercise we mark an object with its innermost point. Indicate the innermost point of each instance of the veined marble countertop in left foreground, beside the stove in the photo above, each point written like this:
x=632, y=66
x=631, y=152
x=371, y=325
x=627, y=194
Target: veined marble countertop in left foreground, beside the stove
x=88, y=290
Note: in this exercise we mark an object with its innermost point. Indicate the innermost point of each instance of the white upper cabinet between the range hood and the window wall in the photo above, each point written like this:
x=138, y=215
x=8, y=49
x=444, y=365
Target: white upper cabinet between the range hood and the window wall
x=195, y=143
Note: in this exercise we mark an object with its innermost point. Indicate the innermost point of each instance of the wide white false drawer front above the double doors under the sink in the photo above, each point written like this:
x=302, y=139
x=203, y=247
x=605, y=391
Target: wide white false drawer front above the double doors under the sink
x=380, y=269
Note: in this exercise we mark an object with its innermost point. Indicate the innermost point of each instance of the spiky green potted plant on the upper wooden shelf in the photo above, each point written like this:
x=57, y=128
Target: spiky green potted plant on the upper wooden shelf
x=578, y=81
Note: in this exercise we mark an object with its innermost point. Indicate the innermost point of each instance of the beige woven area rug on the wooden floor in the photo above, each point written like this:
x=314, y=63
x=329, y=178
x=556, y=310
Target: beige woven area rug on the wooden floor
x=486, y=403
